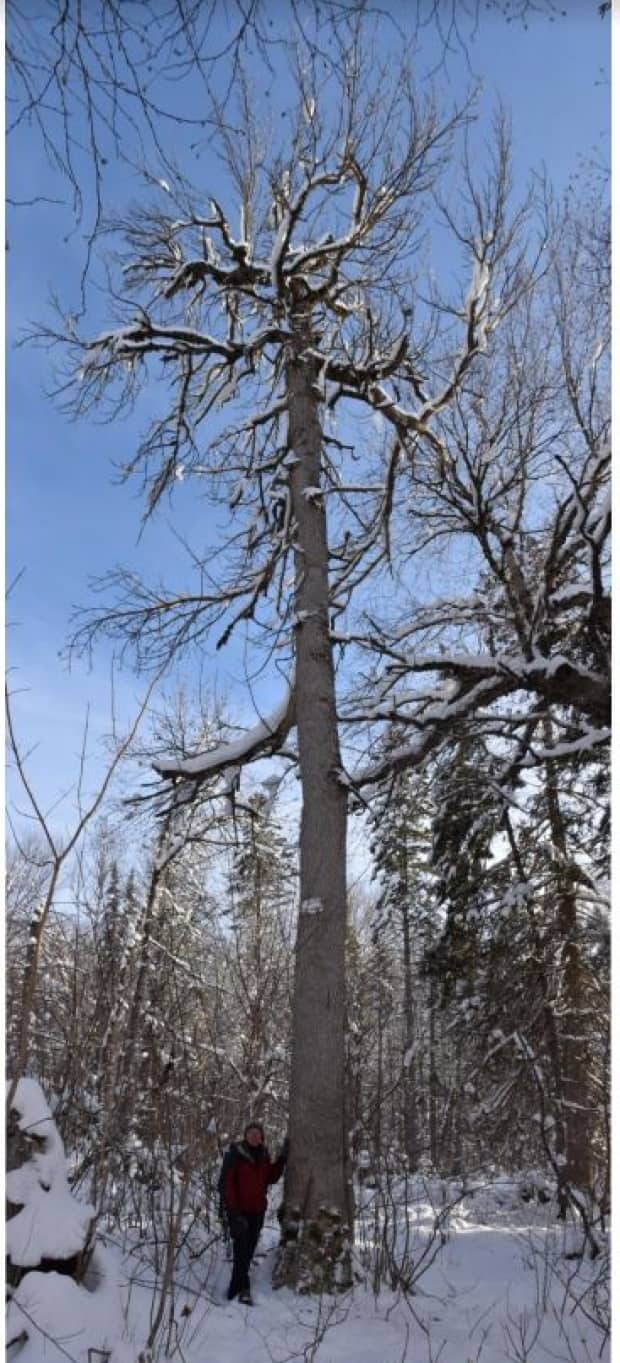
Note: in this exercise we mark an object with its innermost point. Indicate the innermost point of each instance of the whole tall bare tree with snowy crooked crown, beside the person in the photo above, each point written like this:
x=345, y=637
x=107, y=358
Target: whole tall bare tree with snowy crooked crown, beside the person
x=292, y=318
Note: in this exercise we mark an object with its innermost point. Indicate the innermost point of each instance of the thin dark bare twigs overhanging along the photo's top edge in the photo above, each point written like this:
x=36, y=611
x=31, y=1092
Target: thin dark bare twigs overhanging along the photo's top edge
x=126, y=69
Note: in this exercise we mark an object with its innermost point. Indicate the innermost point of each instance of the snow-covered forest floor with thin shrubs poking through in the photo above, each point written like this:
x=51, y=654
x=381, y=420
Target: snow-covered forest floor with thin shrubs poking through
x=497, y=1289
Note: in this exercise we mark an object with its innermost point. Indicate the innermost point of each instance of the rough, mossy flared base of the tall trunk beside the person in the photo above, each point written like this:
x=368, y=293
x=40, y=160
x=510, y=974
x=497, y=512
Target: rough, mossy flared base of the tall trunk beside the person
x=314, y=1256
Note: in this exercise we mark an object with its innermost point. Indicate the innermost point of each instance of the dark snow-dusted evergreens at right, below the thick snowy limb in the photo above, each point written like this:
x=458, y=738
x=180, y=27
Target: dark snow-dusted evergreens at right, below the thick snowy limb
x=520, y=884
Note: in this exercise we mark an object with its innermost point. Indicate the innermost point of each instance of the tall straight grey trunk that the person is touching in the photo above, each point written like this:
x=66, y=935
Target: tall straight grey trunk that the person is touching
x=314, y=1255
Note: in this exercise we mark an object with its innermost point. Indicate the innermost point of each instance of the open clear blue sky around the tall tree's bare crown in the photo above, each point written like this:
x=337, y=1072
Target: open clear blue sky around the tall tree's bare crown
x=67, y=517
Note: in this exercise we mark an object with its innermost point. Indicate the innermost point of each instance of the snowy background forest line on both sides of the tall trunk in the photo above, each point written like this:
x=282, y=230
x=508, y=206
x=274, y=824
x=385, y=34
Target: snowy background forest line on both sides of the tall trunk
x=478, y=990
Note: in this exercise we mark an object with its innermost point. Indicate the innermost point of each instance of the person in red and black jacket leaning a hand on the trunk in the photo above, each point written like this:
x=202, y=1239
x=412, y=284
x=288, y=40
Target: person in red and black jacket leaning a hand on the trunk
x=246, y=1176
